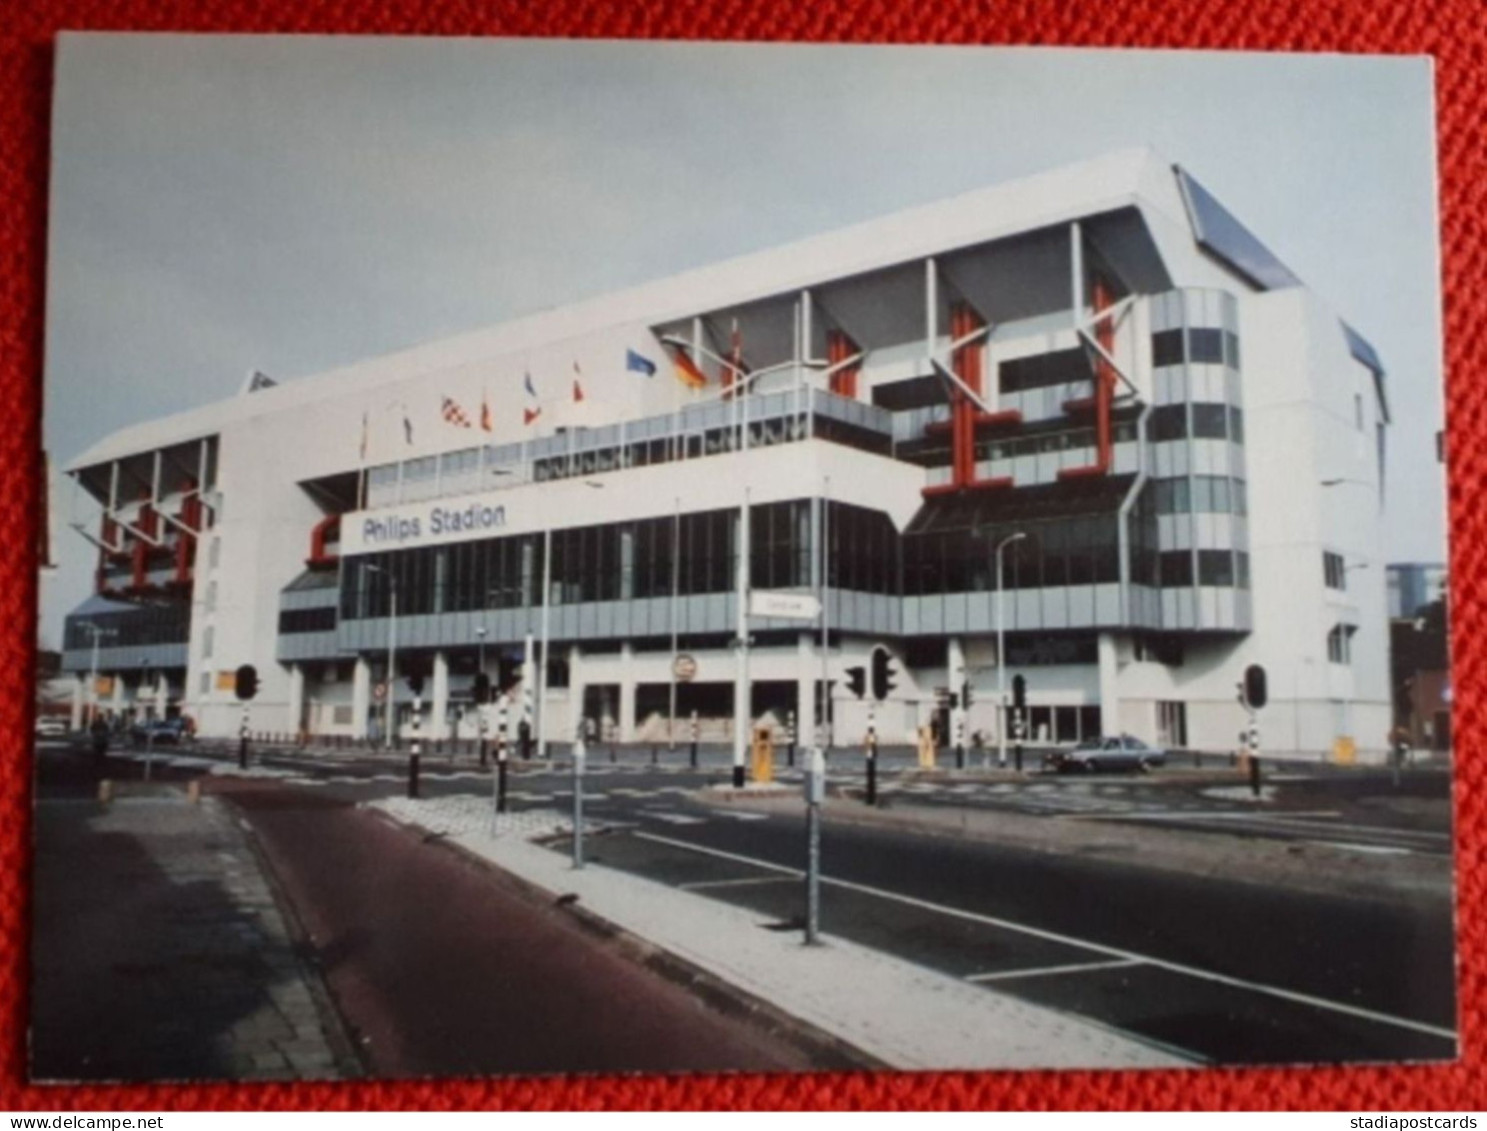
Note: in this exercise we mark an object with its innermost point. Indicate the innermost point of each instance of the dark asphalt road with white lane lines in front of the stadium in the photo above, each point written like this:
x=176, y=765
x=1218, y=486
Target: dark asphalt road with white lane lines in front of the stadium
x=1230, y=973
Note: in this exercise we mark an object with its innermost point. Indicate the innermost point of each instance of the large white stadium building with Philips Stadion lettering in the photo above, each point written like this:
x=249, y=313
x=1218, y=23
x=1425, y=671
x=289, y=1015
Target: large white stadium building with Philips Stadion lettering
x=1088, y=414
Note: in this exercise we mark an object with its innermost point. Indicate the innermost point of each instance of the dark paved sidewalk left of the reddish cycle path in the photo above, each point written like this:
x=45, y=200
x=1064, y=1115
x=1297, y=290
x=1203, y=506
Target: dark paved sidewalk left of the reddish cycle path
x=160, y=952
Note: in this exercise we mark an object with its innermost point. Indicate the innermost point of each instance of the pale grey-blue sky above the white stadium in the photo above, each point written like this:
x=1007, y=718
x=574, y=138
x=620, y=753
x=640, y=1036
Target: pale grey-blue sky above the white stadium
x=292, y=204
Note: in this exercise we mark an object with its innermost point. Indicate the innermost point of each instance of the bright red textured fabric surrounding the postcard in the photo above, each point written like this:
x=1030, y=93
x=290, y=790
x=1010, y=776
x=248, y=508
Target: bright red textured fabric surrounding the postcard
x=1455, y=32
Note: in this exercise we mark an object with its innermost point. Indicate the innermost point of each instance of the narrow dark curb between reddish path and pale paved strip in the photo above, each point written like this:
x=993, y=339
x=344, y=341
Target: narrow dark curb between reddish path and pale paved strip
x=826, y=1051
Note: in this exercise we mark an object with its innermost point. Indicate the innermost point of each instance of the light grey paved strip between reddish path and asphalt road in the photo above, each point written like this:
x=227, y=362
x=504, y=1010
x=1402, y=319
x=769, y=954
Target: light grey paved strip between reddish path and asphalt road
x=912, y=1019
